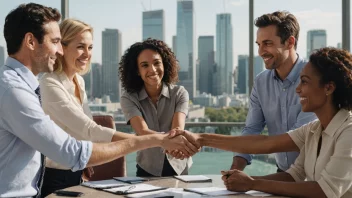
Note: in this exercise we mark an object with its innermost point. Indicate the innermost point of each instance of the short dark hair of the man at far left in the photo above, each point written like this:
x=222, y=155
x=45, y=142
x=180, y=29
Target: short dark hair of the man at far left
x=27, y=18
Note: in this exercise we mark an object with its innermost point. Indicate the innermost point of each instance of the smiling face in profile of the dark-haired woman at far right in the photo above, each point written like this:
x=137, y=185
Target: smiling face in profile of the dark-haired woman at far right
x=313, y=95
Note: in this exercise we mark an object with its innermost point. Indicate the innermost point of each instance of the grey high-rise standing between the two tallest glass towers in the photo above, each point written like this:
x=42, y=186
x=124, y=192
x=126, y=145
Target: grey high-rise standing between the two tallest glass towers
x=205, y=64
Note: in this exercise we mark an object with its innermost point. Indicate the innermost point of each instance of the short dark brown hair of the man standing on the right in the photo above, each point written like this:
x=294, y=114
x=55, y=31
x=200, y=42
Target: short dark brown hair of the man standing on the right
x=286, y=23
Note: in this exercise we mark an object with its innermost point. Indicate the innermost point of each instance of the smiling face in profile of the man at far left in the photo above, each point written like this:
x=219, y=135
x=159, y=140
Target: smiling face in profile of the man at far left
x=47, y=52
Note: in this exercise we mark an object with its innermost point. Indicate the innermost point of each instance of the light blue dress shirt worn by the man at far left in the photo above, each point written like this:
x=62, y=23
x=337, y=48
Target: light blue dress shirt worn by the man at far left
x=25, y=130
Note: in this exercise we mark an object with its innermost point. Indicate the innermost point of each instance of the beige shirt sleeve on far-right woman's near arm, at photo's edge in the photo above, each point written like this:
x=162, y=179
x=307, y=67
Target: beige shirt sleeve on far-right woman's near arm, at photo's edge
x=335, y=178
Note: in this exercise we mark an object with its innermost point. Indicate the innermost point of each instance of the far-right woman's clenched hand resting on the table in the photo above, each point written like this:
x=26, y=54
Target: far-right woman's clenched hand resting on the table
x=236, y=180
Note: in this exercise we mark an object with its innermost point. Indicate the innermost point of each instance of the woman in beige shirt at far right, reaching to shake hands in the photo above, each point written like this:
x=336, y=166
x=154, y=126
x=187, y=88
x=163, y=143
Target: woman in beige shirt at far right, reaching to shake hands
x=324, y=165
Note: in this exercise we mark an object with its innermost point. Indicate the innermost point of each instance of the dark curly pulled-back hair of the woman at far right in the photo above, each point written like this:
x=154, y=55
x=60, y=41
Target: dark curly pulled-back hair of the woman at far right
x=335, y=65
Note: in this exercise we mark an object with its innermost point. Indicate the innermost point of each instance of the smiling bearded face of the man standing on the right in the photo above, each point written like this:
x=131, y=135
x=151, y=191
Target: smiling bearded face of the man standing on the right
x=270, y=48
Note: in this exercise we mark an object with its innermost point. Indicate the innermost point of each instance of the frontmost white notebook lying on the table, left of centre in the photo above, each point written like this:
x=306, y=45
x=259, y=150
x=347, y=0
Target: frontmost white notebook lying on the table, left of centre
x=131, y=189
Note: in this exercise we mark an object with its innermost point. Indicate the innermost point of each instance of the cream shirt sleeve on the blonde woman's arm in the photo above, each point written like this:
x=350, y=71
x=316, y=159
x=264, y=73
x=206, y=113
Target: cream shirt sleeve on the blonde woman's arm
x=57, y=104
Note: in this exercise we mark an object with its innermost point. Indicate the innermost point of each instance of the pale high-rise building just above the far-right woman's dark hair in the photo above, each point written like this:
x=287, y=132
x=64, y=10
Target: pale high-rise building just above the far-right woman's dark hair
x=315, y=39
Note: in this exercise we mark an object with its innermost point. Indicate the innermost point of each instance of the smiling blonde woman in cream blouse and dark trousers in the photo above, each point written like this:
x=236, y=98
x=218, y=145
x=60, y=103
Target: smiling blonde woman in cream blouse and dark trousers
x=64, y=99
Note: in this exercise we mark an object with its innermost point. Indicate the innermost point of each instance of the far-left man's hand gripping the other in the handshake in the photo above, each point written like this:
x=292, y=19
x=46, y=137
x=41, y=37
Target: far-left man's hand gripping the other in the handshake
x=179, y=143
